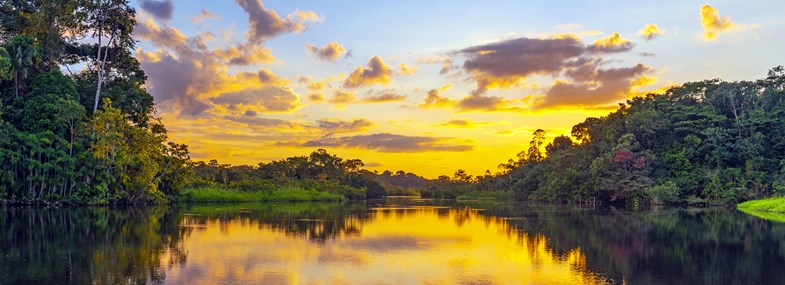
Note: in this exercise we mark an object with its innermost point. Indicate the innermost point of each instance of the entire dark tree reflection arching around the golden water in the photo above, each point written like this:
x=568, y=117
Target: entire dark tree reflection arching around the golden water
x=704, y=246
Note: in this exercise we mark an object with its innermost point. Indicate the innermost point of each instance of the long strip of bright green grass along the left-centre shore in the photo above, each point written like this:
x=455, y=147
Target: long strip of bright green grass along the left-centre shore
x=221, y=195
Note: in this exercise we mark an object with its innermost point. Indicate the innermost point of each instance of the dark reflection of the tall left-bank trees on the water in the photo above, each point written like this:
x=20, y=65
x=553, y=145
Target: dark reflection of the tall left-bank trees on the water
x=83, y=246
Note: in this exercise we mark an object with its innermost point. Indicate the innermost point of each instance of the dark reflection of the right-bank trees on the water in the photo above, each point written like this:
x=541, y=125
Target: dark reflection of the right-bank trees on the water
x=700, y=246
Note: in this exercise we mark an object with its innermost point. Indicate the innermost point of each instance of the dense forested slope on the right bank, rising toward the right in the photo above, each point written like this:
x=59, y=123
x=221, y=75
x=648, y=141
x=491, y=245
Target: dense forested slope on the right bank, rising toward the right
x=703, y=142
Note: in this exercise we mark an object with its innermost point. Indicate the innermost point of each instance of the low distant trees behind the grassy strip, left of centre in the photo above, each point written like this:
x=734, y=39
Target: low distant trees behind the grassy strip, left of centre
x=319, y=171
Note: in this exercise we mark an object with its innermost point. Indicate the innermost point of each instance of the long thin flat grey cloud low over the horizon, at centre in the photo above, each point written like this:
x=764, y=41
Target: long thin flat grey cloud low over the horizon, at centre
x=386, y=142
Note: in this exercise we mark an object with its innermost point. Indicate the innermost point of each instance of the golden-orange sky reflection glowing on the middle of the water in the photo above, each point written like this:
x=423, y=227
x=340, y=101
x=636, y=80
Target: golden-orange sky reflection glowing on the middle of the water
x=417, y=245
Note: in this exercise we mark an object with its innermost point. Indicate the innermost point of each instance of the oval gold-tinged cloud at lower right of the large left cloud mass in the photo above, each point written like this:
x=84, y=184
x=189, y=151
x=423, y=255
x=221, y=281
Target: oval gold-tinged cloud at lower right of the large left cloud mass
x=267, y=99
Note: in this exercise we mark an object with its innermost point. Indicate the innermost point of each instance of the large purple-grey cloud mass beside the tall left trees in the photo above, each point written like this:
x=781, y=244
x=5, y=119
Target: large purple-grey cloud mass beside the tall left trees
x=185, y=75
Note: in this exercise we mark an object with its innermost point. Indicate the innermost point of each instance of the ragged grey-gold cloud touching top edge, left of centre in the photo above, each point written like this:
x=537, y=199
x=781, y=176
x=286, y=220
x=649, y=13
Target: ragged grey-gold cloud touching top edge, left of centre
x=265, y=24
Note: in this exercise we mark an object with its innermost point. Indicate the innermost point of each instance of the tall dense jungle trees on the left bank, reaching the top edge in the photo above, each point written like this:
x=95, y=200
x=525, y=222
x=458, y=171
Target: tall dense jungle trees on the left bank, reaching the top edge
x=57, y=143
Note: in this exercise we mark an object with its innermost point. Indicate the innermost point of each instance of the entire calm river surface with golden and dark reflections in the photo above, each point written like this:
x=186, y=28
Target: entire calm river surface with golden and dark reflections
x=400, y=241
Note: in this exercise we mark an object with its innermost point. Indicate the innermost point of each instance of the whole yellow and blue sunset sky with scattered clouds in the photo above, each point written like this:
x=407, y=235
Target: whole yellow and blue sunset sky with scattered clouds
x=427, y=87
